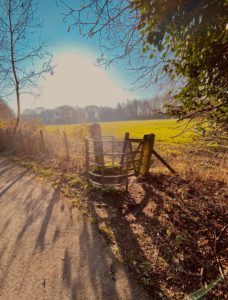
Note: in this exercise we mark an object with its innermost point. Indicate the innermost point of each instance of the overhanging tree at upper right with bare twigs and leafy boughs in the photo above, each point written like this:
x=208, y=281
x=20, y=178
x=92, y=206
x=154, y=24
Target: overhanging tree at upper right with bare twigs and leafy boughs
x=182, y=44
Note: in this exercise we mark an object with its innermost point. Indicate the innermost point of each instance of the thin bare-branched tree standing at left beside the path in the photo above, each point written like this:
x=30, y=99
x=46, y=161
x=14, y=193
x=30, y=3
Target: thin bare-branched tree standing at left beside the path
x=23, y=59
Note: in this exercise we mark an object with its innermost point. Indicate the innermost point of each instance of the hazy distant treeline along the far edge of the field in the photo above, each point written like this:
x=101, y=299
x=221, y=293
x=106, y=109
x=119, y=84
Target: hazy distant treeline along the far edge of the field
x=129, y=110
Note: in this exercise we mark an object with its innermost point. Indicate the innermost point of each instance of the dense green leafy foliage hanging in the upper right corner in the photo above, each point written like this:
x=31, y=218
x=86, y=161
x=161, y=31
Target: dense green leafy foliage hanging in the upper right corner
x=192, y=39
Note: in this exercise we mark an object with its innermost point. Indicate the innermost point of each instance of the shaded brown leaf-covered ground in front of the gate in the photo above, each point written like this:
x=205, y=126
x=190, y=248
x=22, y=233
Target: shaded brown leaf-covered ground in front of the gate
x=172, y=233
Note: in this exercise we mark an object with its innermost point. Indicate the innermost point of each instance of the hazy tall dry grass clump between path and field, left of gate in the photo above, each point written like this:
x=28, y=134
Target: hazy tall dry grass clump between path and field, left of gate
x=51, y=147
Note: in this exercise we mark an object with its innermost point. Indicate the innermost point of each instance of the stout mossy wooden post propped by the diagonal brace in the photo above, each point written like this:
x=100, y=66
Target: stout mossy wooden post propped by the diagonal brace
x=147, y=152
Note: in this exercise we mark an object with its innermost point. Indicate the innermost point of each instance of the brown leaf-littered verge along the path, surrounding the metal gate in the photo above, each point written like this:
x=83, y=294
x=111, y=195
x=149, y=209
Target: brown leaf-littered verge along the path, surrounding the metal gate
x=170, y=230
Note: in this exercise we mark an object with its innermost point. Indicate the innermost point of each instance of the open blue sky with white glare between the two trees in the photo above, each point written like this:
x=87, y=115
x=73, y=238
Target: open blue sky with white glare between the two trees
x=76, y=80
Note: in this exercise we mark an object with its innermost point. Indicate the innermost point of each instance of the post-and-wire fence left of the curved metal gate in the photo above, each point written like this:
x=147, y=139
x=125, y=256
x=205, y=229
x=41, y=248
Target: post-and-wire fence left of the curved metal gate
x=33, y=140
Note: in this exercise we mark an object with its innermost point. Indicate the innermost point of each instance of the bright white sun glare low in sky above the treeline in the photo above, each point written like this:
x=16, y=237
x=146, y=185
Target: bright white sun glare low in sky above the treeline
x=77, y=81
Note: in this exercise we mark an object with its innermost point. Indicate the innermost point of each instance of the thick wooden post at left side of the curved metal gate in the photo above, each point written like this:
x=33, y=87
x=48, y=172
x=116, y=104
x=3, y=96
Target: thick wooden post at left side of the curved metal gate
x=95, y=133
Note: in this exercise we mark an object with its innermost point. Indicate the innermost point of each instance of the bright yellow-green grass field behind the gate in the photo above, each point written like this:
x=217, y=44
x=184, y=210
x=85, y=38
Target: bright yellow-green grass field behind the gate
x=166, y=131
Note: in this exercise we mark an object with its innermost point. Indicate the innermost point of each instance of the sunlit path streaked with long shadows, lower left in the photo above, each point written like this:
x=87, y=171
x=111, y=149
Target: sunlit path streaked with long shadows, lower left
x=48, y=250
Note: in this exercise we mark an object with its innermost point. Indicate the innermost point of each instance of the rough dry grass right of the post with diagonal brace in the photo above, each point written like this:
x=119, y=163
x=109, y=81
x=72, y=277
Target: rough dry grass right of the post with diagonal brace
x=194, y=161
